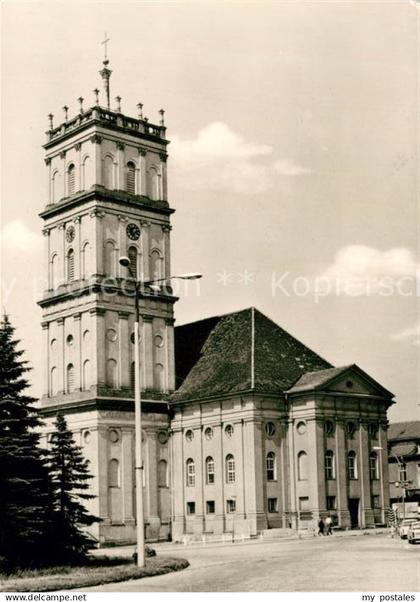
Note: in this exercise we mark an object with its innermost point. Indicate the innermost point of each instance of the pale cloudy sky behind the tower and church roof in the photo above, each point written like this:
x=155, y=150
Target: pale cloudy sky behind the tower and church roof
x=292, y=164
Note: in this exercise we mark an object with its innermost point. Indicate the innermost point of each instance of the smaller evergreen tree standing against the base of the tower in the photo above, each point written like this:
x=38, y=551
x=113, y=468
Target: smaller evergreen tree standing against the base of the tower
x=70, y=479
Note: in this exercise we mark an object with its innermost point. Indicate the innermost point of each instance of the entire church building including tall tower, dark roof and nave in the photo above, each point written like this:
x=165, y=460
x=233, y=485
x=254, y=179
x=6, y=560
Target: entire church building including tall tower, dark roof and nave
x=244, y=427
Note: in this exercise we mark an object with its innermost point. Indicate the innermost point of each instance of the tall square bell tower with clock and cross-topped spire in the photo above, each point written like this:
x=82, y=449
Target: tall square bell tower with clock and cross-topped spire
x=107, y=197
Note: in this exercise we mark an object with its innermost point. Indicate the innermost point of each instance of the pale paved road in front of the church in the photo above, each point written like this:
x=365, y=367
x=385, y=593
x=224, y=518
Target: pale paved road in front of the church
x=363, y=563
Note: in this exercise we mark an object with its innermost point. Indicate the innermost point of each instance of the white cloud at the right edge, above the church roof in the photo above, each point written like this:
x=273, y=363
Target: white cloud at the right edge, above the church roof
x=359, y=269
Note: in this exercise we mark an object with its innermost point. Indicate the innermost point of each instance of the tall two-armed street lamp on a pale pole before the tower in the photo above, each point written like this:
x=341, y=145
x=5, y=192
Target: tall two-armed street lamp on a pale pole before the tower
x=125, y=262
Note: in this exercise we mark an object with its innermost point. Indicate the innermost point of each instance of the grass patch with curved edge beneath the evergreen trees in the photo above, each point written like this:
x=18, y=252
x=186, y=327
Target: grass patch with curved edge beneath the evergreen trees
x=95, y=572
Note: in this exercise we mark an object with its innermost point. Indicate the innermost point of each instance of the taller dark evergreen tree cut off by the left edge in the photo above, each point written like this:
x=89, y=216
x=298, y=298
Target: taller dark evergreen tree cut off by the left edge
x=25, y=497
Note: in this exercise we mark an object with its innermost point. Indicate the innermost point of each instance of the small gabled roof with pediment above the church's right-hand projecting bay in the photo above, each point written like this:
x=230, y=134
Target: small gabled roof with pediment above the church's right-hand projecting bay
x=321, y=379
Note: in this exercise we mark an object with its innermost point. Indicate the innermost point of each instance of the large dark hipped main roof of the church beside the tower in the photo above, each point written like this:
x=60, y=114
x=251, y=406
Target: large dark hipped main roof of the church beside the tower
x=238, y=352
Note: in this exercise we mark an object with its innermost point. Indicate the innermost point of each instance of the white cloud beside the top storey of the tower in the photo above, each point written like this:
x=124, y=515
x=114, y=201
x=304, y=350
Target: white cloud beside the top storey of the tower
x=220, y=159
